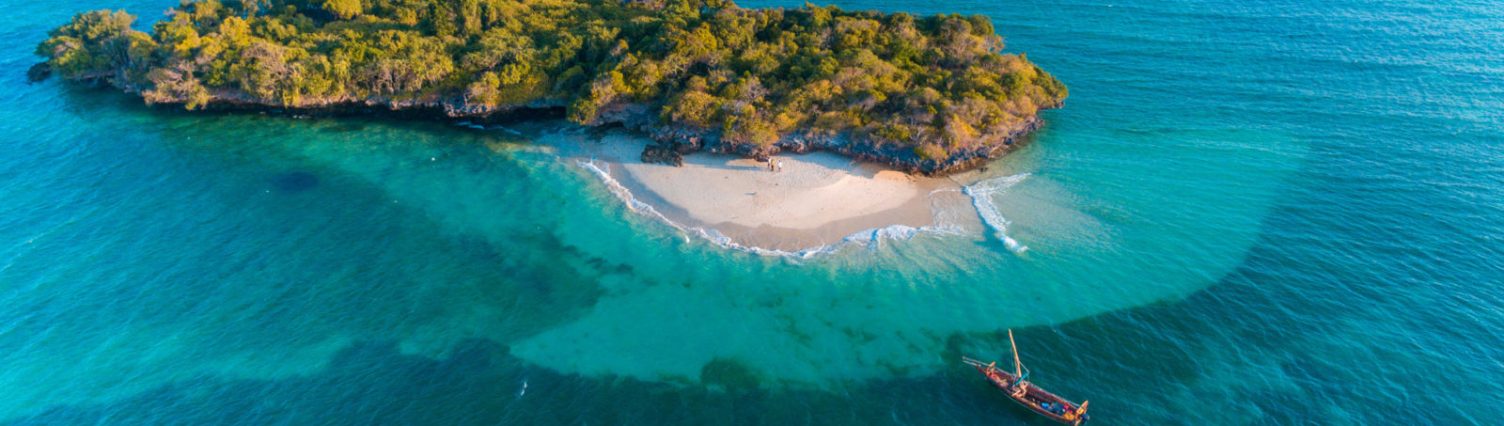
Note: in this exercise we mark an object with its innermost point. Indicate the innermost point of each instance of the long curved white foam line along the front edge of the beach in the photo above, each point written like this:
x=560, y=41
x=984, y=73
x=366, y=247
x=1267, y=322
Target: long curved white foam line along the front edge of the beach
x=872, y=239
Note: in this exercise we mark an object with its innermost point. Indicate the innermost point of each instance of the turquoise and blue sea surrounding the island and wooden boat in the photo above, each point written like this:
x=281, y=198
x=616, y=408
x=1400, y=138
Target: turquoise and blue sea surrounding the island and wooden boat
x=1275, y=213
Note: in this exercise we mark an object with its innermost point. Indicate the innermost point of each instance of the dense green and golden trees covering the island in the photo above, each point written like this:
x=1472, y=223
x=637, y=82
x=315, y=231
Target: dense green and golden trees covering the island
x=929, y=90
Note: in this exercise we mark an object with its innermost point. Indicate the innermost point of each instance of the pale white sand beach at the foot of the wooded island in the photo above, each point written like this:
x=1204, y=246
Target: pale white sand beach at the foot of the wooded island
x=814, y=201
